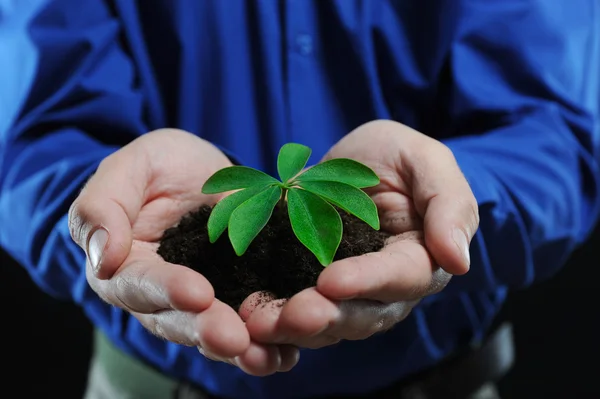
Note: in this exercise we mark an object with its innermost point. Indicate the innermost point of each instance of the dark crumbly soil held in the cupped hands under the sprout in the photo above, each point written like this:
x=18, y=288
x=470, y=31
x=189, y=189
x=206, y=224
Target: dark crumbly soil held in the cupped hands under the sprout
x=275, y=261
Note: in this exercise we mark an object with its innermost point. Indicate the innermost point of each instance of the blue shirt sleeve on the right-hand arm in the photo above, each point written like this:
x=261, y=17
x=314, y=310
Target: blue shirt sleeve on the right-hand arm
x=524, y=99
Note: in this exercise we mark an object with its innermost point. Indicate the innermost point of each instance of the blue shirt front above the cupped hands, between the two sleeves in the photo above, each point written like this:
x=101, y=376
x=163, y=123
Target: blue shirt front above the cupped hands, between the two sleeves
x=253, y=75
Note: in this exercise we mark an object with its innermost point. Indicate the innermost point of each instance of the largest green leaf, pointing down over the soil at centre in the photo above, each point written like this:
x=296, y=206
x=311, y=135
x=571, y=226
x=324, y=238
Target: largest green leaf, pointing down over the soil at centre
x=316, y=224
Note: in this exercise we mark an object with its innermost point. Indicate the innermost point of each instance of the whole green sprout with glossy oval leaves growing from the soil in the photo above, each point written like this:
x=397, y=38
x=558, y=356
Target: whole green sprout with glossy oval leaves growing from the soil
x=310, y=196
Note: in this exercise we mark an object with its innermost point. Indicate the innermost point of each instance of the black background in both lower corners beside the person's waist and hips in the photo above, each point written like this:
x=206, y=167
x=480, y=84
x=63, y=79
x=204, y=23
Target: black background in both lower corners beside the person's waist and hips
x=46, y=344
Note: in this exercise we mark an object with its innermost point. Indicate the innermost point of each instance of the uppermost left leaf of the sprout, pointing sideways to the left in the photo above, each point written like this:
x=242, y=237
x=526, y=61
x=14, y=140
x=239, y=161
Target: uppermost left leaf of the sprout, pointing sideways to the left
x=236, y=177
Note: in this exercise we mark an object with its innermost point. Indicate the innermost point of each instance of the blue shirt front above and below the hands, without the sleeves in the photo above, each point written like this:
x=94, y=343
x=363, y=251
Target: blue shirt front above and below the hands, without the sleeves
x=253, y=75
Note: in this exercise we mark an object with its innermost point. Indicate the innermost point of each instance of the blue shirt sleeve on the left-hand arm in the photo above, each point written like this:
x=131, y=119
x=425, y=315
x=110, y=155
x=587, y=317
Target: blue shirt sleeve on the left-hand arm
x=70, y=96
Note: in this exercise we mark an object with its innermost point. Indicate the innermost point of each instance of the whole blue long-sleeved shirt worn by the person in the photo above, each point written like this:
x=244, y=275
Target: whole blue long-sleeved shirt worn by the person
x=512, y=87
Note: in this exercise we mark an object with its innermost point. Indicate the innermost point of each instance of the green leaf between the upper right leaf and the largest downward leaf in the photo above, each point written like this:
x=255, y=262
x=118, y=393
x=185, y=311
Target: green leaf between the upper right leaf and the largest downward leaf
x=351, y=199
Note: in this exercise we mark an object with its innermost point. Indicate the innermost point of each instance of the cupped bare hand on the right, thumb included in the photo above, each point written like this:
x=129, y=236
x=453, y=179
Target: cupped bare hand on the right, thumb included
x=425, y=202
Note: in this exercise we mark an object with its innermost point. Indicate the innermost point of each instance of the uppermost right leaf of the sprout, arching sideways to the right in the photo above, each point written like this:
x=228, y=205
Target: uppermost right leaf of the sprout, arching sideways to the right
x=341, y=170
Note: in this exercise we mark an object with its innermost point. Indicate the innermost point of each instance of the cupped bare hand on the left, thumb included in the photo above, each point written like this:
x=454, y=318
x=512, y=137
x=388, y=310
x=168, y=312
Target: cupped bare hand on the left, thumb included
x=118, y=219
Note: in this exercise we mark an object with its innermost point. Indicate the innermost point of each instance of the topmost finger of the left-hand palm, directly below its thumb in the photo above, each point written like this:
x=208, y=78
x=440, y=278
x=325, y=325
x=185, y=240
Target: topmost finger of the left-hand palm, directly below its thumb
x=146, y=284
